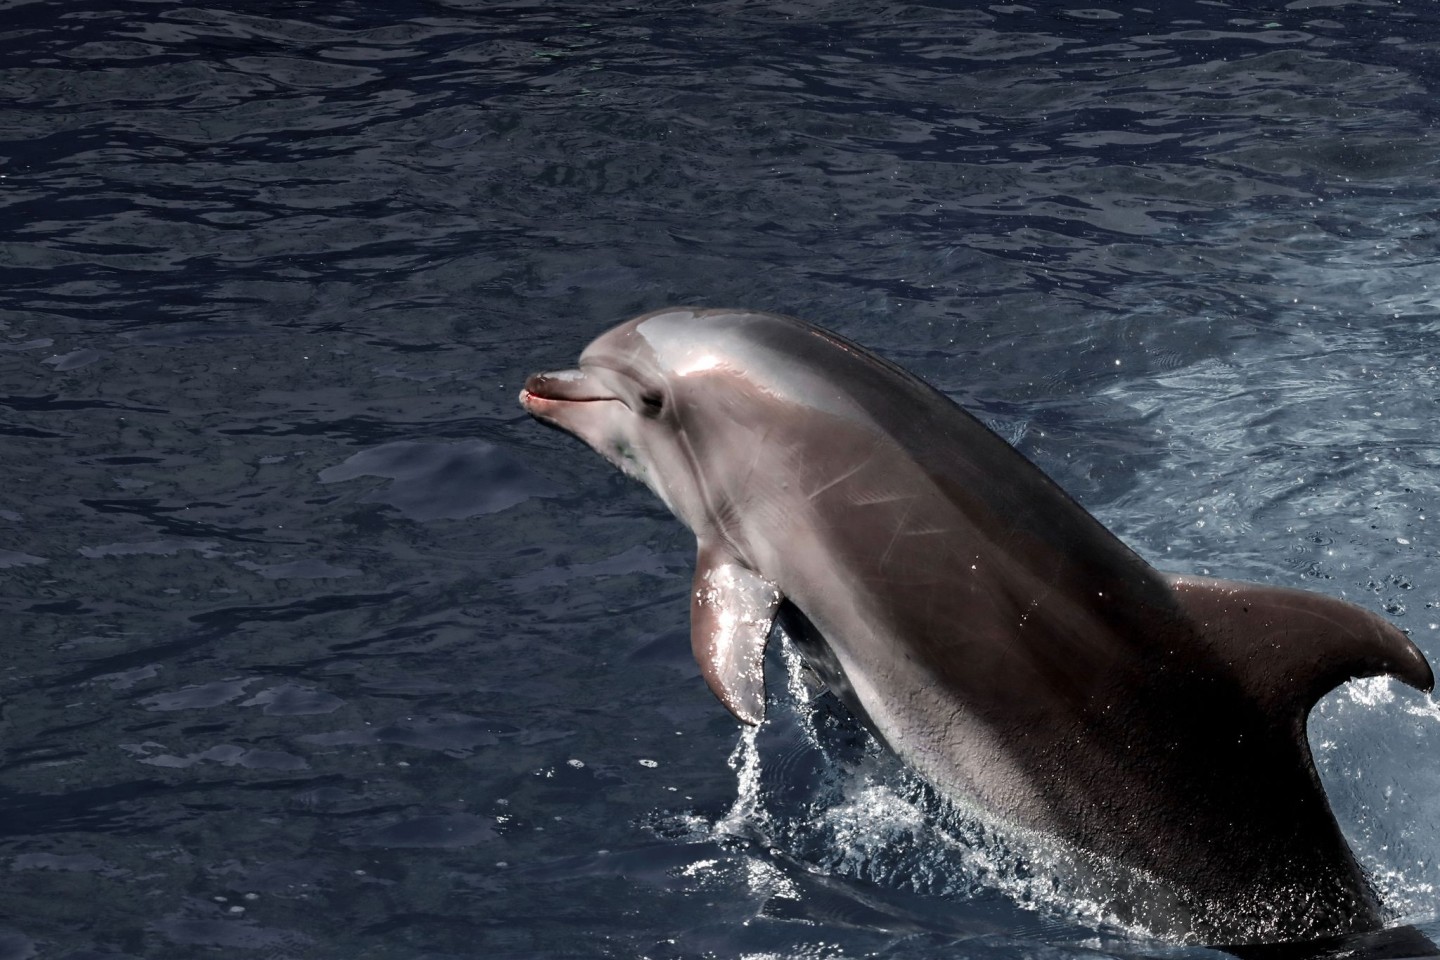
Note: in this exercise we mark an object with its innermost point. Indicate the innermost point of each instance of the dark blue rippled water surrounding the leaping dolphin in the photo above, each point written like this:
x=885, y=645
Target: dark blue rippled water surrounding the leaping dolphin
x=316, y=647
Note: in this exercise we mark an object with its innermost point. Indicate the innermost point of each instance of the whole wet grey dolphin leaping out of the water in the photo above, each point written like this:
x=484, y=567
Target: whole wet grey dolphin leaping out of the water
x=987, y=628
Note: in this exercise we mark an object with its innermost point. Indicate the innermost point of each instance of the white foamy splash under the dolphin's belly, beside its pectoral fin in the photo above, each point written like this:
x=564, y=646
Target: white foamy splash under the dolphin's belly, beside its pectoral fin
x=816, y=794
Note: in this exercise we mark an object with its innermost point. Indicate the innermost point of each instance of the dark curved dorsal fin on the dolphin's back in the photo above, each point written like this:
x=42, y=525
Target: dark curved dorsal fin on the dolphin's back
x=1292, y=647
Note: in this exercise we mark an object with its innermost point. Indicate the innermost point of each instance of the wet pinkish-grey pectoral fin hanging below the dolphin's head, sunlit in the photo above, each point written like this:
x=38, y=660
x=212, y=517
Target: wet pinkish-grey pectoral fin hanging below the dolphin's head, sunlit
x=731, y=614
